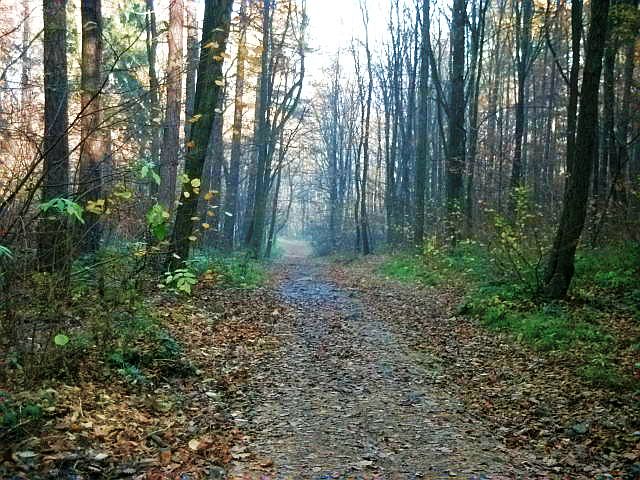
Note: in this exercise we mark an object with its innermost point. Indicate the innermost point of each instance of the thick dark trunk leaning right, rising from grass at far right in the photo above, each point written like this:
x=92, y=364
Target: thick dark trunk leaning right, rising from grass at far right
x=579, y=163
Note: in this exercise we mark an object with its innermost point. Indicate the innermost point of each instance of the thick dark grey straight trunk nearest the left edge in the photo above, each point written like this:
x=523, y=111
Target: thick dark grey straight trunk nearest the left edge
x=53, y=242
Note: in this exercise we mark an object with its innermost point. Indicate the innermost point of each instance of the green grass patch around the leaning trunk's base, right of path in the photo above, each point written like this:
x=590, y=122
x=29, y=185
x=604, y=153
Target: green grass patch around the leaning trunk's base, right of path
x=606, y=287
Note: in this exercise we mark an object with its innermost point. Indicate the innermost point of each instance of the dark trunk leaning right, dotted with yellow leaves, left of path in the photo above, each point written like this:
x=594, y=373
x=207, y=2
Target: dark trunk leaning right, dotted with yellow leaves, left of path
x=215, y=30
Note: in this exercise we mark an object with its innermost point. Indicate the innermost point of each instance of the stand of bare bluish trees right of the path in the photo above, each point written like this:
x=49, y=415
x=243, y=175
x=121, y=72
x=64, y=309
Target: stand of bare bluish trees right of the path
x=478, y=121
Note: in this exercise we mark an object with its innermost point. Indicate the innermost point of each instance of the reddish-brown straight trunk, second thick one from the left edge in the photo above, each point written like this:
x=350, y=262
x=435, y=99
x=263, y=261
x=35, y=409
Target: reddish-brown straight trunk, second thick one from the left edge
x=92, y=151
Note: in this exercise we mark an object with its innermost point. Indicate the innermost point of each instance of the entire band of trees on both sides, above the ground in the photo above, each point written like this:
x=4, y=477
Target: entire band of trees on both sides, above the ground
x=423, y=131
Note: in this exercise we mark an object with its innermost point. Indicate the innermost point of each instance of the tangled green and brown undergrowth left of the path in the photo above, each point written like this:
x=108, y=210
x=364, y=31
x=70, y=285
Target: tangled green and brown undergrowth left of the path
x=96, y=327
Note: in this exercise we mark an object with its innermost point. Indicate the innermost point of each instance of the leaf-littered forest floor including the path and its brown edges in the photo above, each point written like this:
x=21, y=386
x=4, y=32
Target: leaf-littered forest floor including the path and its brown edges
x=328, y=371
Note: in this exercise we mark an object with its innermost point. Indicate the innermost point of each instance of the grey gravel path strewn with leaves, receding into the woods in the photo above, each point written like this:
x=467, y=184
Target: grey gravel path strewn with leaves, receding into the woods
x=346, y=397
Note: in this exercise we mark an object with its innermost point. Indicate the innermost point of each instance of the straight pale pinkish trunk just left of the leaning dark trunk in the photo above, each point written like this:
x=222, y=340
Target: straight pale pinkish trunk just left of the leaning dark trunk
x=170, y=155
